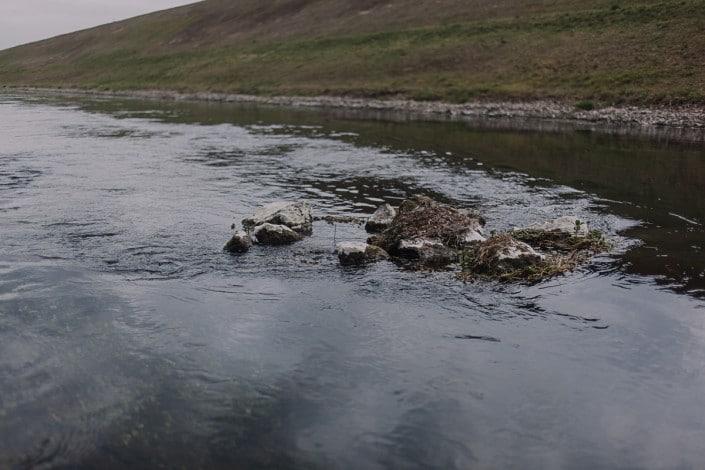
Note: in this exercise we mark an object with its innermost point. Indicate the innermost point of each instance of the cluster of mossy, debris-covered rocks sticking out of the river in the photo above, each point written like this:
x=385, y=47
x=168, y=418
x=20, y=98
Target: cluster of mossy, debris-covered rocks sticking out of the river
x=423, y=233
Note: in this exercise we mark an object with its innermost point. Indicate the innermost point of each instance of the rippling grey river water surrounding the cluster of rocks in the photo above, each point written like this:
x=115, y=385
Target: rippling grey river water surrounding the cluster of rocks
x=129, y=339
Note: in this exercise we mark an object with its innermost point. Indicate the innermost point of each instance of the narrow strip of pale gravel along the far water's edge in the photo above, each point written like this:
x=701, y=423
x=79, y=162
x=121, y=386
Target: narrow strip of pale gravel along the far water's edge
x=685, y=122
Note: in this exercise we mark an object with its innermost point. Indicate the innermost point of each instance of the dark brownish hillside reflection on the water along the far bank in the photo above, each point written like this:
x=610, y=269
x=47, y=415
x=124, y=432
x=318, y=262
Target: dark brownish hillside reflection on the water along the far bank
x=656, y=180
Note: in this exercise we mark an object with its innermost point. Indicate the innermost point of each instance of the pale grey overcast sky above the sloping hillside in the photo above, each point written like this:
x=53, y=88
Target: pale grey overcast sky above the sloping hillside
x=23, y=21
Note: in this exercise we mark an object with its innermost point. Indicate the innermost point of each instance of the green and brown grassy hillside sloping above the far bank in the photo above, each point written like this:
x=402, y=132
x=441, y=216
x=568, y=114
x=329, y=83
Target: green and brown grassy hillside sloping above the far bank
x=641, y=51
